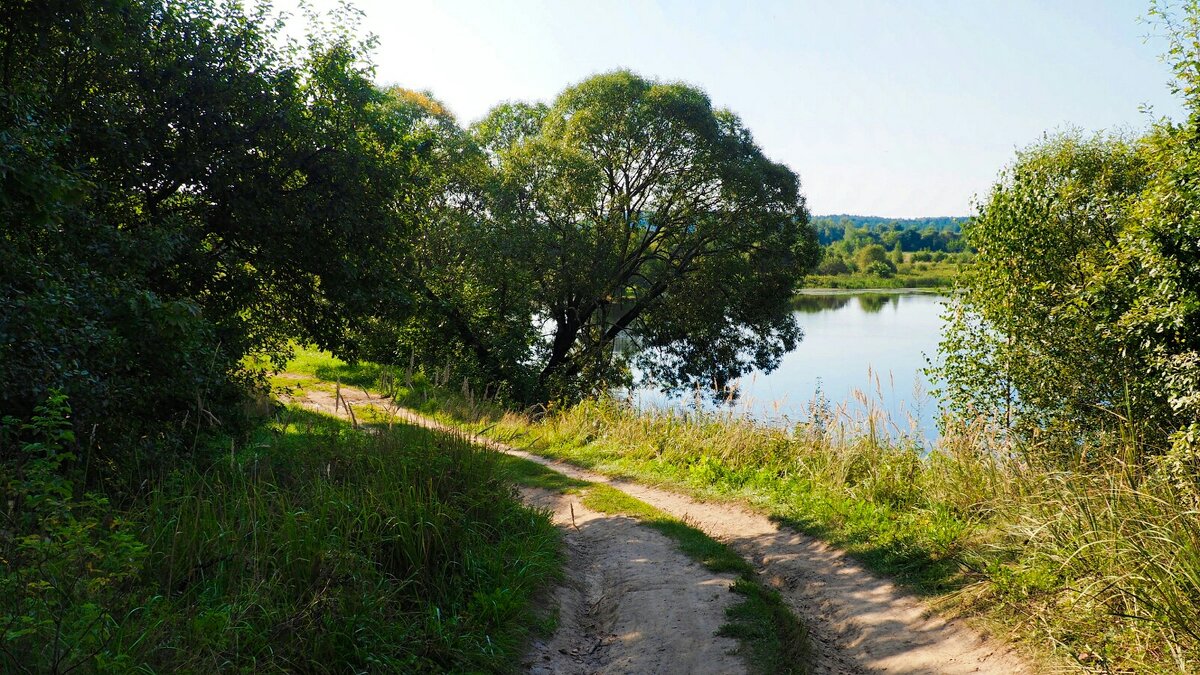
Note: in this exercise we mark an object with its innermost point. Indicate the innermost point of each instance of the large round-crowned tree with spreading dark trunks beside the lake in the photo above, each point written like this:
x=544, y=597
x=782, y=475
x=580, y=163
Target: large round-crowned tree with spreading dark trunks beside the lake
x=644, y=218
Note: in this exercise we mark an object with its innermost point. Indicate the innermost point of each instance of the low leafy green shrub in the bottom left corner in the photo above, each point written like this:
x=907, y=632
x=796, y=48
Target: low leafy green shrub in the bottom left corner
x=68, y=564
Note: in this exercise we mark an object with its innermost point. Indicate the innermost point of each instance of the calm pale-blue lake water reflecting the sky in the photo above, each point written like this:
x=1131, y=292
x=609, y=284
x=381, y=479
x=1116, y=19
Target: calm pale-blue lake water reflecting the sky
x=873, y=344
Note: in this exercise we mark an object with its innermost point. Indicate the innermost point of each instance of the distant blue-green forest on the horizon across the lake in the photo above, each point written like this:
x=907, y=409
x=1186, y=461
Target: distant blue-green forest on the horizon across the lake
x=941, y=234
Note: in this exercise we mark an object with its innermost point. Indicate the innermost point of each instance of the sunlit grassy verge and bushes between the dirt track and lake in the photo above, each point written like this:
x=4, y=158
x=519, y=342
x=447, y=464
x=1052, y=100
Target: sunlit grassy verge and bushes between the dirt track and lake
x=1064, y=498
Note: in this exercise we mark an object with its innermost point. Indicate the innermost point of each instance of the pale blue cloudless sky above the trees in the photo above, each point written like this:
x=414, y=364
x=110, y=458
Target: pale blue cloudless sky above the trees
x=892, y=109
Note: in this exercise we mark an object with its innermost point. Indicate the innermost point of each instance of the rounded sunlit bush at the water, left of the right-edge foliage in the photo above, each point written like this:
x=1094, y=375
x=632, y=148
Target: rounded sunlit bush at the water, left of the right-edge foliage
x=1035, y=342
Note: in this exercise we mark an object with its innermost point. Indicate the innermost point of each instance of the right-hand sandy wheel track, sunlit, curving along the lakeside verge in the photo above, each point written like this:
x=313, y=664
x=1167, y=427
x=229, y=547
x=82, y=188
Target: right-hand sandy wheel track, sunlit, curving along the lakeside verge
x=859, y=622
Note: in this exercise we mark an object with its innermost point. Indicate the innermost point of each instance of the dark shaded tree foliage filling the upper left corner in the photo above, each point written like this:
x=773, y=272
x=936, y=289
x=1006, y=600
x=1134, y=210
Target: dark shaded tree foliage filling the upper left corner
x=213, y=195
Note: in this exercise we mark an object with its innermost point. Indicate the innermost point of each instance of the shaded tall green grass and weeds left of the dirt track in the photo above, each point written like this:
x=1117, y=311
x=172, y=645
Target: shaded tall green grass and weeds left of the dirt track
x=307, y=548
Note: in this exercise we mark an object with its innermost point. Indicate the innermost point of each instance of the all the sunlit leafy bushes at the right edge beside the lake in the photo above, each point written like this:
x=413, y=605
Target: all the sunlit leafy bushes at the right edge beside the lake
x=1081, y=318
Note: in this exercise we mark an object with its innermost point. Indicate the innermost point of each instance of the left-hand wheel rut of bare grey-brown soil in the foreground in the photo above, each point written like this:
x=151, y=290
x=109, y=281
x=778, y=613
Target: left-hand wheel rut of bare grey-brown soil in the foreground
x=632, y=602
